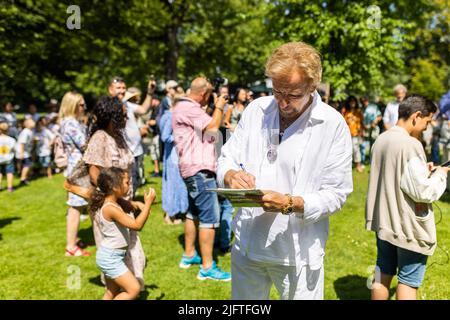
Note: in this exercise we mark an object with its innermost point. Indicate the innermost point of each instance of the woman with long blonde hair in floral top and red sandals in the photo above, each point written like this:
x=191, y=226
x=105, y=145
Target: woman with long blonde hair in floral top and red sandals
x=73, y=134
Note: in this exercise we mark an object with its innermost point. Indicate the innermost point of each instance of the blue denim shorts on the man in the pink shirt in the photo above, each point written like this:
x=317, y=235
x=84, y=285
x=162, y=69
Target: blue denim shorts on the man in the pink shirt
x=203, y=205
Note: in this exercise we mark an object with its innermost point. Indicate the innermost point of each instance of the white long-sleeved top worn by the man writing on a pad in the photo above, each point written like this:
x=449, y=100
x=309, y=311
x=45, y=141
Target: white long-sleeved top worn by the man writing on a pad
x=314, y=161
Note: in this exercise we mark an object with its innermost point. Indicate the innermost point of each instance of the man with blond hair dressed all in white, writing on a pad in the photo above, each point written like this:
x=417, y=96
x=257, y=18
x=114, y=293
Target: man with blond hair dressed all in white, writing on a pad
x=299, y=151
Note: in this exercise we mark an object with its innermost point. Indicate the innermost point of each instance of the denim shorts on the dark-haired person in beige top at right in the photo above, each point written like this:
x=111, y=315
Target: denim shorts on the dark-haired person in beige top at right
x=411, y=265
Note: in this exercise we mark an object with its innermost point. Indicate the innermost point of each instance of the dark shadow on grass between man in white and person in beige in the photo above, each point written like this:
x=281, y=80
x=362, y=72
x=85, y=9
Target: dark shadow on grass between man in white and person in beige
x=354, y=287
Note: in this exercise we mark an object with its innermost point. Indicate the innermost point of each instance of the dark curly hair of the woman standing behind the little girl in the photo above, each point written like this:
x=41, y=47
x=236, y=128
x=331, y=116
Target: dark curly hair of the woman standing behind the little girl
x=109, y=110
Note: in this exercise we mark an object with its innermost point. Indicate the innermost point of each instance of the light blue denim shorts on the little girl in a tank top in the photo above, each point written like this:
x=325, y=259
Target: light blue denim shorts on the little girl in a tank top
x=111, y=262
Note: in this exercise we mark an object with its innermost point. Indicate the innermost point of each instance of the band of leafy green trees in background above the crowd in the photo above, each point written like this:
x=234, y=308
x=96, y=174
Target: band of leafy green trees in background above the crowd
x=363, y=46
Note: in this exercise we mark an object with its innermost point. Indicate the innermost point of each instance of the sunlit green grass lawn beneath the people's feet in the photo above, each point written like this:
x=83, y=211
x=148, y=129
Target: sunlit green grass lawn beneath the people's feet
x=33, y=265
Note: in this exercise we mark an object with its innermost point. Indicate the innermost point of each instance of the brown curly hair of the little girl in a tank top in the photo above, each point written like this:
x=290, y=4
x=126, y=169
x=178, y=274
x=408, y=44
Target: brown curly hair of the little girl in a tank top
x=108, y=179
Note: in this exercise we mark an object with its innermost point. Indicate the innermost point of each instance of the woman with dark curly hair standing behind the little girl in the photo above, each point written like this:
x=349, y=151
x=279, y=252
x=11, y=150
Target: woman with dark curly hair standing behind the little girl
x=107, y=148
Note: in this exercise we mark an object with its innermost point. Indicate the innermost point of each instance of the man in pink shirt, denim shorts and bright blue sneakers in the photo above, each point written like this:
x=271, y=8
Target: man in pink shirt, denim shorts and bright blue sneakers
x=195, y=134
